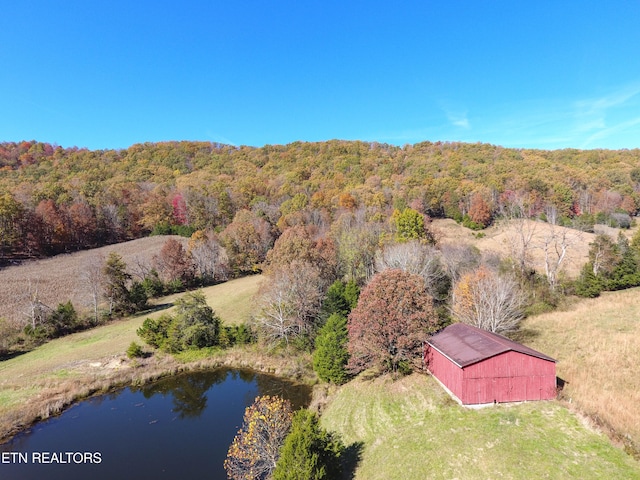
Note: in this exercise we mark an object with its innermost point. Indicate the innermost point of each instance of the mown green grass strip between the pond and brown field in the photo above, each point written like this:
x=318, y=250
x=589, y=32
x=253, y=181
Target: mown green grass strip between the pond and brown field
x=50, y=376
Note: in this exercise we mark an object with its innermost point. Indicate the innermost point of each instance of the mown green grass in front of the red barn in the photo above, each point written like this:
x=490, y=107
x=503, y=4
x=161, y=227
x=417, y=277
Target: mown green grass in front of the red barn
x=410, y=429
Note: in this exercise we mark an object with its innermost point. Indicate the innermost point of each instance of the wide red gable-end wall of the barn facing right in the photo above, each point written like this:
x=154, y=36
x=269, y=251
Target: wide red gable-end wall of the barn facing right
x=509, y=377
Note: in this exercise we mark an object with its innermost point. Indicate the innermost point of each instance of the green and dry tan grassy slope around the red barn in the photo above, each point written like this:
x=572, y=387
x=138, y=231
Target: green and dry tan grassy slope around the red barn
x=411, y=429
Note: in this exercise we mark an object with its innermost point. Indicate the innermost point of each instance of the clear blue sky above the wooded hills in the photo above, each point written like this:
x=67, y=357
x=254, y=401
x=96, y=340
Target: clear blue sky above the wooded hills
x=108, y=74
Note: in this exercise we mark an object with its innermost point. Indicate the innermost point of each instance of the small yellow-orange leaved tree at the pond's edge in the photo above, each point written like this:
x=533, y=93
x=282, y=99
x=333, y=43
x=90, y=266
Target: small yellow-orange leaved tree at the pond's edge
x=255, y=450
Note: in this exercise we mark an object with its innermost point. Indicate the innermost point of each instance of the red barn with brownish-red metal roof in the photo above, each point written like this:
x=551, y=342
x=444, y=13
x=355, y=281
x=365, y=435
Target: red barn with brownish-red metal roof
x=478, y=367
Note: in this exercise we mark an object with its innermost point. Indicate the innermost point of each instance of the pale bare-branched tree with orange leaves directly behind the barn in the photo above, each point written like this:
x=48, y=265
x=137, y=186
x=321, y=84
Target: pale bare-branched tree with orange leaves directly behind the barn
x=488, y=300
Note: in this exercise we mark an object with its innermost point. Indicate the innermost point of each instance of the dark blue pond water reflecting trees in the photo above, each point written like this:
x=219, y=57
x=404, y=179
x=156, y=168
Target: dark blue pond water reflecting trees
x=177, y=427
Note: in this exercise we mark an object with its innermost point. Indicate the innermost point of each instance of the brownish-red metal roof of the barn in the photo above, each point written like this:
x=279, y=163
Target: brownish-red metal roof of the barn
x=465, y=345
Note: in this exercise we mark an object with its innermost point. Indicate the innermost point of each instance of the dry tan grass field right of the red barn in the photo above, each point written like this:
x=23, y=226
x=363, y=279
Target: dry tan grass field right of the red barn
x=597, y=345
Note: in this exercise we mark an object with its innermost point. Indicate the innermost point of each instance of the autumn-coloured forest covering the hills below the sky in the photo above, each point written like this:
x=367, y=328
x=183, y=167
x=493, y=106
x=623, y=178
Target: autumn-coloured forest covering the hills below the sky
x=55, y=200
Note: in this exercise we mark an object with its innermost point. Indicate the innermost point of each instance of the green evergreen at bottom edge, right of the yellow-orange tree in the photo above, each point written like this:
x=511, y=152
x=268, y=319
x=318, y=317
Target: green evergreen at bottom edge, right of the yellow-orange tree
x=309, y=452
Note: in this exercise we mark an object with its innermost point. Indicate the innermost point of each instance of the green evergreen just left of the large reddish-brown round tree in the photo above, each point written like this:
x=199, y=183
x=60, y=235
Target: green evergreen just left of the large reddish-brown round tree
x=331, y=356
